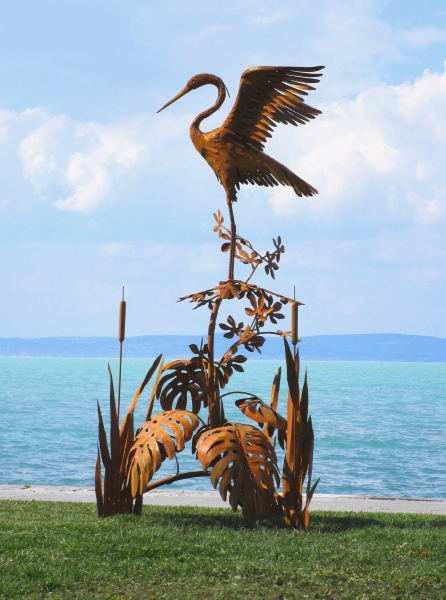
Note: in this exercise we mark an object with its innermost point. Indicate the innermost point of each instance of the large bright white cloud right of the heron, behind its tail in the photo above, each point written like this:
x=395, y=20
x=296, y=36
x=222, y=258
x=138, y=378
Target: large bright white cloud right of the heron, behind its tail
x=384, y=149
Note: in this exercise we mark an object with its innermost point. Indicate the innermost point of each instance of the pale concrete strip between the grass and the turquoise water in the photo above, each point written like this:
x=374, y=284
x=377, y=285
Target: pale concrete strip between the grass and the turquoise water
x=175, y=497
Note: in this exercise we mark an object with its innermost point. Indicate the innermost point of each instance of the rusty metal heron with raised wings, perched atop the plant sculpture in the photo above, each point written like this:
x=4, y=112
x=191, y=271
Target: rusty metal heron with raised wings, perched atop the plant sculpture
x=266, y=96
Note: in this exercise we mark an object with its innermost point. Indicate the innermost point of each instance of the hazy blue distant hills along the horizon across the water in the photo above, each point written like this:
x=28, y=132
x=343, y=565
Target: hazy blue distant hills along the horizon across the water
x=374, y=346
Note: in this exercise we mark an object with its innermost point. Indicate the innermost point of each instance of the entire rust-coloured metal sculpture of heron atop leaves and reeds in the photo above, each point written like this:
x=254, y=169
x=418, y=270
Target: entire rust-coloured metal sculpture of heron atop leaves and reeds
x=239, y=458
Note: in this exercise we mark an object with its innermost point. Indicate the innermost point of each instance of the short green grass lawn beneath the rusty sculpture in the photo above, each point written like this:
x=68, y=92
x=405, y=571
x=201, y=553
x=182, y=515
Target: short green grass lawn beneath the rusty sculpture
x=62, y=550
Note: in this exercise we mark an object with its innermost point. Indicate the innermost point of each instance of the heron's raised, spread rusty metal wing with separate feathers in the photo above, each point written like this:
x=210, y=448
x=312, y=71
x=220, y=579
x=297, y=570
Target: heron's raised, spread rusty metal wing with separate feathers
x=267, y=96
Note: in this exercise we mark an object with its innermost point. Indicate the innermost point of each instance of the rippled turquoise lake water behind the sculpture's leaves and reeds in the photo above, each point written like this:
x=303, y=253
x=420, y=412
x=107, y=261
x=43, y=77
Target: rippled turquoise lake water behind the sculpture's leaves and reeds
x=380, y=428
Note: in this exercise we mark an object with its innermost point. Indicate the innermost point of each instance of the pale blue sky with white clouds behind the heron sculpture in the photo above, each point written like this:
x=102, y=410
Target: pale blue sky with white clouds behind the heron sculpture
x=98, y=191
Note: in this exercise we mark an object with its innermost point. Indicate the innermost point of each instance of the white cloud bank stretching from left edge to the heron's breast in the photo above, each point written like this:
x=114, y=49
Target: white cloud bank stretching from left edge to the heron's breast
x=79, y=166
